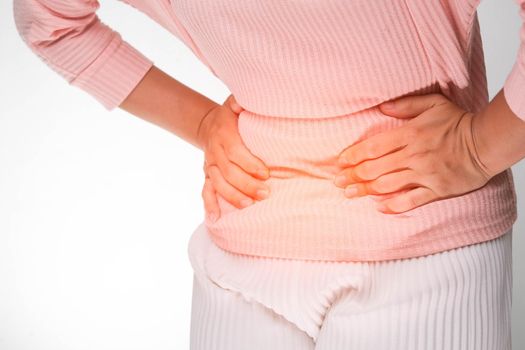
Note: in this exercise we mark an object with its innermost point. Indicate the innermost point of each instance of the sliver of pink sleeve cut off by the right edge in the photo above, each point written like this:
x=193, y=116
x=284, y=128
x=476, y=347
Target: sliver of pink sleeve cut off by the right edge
x=514, y=87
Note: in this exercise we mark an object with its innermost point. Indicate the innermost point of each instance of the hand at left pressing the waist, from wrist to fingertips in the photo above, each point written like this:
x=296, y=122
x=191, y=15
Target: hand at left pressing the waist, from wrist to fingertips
x=229, y=166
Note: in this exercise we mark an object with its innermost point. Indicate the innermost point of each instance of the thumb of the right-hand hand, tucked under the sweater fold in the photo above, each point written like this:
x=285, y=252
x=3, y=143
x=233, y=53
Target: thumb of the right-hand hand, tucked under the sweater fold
x=411, y=106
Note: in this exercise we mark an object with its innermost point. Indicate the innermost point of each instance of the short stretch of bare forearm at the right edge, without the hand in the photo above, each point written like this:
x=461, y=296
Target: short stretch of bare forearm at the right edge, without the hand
x=499, y=135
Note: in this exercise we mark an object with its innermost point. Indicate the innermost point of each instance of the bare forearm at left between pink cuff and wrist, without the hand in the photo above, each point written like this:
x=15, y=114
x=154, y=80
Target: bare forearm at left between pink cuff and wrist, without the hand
x=165, y=102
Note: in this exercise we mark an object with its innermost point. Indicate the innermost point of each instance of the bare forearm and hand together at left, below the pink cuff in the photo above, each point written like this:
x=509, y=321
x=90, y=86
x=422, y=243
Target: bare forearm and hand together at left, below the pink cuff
x=162, y=100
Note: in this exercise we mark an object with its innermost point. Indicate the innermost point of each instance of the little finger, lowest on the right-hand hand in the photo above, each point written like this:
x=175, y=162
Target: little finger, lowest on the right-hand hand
x=406, y=201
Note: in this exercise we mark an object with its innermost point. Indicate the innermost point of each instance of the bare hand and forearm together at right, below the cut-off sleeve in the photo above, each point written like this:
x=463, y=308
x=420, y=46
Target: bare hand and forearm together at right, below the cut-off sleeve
x=442, y=151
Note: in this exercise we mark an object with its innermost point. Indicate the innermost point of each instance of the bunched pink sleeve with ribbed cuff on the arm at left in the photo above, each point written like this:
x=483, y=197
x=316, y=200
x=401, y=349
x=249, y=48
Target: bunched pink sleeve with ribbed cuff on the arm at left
x=70, y=38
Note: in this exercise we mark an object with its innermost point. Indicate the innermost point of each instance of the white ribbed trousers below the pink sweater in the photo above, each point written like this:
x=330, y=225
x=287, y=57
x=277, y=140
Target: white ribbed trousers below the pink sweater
x=454, y=300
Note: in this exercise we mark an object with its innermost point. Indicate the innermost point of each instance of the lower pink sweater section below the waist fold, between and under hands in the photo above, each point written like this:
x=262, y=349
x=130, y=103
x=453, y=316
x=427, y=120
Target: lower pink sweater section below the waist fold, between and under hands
x=307, y=217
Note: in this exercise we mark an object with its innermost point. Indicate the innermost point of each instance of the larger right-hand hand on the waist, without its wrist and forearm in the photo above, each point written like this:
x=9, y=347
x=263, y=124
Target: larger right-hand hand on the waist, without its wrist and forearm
x=433, y=156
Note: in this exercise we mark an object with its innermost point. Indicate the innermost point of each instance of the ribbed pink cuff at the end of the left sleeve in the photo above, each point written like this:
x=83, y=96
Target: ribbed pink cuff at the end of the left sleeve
x=114, y=74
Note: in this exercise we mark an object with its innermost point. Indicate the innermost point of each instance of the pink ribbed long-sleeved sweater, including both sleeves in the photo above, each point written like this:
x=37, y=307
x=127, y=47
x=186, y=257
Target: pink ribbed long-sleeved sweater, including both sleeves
x=310, y=75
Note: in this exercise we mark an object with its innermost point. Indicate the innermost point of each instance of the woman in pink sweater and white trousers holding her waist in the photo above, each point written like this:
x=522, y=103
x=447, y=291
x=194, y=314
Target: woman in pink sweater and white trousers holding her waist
x=415, y=253
